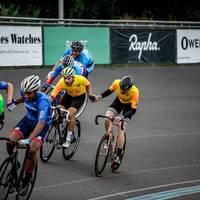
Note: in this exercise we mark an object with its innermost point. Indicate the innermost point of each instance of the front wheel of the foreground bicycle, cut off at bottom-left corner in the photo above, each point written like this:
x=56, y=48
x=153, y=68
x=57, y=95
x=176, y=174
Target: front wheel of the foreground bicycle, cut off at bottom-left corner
x=6, y=178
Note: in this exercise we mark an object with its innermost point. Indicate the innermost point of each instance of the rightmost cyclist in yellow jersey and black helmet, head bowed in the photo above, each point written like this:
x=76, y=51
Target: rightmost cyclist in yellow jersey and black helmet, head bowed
x=125, y=102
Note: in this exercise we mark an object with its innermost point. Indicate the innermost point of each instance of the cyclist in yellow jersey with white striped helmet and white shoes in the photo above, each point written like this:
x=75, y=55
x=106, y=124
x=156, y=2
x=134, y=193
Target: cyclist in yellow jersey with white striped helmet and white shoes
x=75, y=87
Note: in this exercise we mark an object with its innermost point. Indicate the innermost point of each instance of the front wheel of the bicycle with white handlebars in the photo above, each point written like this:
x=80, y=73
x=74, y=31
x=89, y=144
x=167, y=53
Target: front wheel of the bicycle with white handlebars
x=48, y=146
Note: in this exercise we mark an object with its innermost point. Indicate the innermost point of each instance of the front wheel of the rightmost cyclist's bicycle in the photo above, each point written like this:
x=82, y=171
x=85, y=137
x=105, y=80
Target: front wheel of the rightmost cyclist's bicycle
x=102, y=155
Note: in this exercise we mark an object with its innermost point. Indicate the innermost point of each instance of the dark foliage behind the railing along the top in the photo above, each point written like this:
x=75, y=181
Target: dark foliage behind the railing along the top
x=173, y=10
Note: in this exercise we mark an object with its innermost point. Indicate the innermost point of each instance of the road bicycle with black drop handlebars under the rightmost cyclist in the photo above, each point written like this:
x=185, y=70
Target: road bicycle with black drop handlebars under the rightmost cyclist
x=106, y=151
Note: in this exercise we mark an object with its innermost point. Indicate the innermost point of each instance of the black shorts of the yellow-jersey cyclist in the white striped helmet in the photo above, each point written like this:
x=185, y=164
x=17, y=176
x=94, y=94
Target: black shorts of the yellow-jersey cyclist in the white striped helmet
x=68, y=101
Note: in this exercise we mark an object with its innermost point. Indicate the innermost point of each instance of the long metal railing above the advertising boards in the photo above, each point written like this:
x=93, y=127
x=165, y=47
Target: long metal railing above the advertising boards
x=97, y=23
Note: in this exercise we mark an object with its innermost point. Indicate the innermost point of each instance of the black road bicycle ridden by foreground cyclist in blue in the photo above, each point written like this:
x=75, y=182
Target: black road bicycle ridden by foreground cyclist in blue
x=12, y=173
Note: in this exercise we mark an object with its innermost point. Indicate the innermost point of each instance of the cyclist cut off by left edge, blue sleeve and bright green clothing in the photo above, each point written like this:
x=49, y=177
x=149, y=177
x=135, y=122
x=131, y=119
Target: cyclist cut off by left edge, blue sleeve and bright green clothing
x=9, y=100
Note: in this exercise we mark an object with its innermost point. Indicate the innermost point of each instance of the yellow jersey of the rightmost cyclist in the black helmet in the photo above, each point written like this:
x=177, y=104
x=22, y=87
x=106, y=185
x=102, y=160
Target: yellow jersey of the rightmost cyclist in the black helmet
x=131, y=96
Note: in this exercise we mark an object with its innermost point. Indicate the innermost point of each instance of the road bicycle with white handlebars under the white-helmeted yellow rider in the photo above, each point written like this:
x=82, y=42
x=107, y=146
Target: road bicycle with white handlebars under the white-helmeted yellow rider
x=57, y=134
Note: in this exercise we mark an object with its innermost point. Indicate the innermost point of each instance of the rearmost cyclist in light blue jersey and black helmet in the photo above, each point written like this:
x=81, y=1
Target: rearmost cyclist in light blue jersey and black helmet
x=79, y=54
